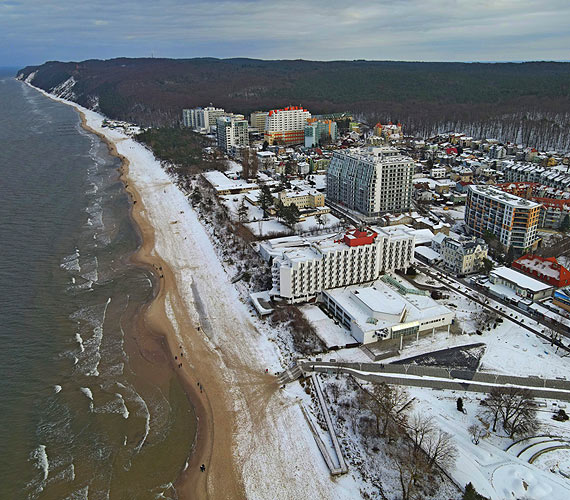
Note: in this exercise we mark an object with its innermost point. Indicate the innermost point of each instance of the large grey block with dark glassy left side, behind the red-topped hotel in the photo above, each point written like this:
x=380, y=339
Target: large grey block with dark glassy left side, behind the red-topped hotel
x=371, y=180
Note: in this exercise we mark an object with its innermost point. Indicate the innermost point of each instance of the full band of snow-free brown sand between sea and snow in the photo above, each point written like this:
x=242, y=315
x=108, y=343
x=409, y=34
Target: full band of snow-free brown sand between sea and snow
x=213, y=444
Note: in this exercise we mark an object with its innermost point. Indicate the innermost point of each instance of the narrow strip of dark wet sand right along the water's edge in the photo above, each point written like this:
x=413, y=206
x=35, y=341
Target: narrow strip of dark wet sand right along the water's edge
x=190, y=482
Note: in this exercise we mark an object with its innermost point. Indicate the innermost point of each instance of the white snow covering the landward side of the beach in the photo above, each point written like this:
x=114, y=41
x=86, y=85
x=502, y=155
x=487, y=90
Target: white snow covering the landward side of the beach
x=283, y=460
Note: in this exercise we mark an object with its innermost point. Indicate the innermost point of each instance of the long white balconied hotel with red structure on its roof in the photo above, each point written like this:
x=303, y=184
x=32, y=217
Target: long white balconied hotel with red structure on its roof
x=303, y=267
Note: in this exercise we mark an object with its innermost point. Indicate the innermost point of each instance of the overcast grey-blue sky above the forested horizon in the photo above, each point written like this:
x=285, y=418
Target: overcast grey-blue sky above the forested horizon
x=34, y=31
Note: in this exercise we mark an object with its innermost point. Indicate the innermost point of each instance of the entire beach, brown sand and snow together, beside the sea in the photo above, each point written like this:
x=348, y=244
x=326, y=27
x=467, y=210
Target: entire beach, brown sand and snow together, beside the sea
x=251, y=436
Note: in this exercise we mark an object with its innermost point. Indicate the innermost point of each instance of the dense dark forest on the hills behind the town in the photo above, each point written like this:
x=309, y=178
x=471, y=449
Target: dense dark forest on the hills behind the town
x=526, y=102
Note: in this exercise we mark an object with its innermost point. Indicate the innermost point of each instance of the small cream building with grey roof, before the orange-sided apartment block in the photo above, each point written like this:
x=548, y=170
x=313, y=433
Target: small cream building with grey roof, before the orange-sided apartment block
x=463, y=256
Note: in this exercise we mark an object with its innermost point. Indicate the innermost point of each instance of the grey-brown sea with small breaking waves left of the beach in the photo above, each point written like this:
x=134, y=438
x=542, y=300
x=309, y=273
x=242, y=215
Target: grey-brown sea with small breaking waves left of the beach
x=85, y=412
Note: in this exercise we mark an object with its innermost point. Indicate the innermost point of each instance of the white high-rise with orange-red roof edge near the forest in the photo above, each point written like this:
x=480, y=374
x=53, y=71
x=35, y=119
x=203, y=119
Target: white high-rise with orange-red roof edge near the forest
x=286, y=126
